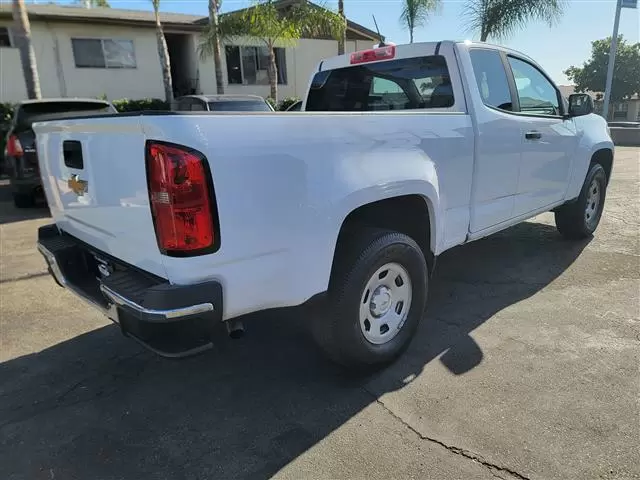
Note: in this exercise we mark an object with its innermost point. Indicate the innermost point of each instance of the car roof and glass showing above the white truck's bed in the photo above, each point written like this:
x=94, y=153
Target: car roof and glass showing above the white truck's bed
x=221, y=103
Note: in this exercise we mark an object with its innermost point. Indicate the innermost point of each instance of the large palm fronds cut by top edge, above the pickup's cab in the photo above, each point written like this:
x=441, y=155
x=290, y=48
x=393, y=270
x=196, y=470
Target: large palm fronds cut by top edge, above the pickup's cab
x=498, y=19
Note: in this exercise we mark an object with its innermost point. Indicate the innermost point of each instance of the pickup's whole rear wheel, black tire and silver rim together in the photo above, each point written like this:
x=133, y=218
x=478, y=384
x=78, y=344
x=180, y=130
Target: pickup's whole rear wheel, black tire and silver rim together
x=377, y=297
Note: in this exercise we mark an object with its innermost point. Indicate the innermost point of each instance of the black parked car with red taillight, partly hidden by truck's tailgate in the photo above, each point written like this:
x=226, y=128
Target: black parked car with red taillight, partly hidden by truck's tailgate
x=20, y=156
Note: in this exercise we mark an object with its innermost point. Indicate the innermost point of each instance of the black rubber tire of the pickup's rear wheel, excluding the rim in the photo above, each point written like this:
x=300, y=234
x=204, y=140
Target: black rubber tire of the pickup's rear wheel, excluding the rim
x=337, y=328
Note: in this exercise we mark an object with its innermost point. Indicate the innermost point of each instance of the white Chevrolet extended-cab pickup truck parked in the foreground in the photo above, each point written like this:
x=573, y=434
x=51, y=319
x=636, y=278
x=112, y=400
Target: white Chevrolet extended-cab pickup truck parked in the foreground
x=174, y=222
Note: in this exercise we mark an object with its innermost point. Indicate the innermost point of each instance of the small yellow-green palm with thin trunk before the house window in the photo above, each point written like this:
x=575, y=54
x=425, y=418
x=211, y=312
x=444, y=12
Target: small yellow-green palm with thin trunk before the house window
x=273, y=26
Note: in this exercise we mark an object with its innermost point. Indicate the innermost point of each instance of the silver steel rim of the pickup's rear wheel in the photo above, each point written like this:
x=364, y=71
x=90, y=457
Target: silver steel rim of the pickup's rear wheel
x=385, y=303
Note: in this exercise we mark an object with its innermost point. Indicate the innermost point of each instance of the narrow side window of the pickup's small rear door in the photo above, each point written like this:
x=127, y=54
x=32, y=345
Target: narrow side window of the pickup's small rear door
x=491, y=78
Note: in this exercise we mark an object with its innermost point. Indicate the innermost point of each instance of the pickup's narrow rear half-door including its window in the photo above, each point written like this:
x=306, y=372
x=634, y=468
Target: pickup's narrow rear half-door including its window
x=498, y=142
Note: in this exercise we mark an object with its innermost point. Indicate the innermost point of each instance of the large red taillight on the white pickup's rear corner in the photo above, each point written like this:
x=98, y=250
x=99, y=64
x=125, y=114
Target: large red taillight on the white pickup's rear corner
x=181, y=199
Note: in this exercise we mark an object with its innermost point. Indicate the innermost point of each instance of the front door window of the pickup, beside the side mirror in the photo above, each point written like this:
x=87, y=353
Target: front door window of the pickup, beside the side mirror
x=537, y=95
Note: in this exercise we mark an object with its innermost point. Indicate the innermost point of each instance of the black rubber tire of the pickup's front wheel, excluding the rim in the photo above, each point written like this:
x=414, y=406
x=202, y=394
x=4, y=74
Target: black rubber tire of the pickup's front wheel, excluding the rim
x=571, y=219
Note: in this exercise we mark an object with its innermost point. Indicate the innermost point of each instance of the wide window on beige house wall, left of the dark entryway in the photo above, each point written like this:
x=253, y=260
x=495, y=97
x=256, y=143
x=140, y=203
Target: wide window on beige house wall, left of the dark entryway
x=103, y=53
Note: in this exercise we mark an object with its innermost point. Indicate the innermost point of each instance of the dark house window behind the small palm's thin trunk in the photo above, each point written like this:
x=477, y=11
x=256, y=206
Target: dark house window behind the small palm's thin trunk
x=249, y=65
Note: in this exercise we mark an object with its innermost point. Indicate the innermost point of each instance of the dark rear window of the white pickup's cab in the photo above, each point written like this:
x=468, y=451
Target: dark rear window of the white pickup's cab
x=404, y=84
